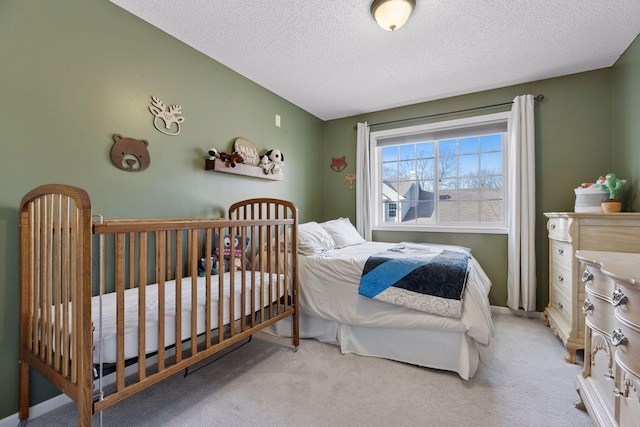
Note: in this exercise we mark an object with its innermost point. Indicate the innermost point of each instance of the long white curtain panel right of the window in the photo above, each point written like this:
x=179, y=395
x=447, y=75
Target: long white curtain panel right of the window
x=521, y=280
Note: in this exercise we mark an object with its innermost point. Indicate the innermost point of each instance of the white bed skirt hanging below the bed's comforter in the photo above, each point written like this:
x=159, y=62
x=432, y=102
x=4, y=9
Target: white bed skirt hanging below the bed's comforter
x=446, y=350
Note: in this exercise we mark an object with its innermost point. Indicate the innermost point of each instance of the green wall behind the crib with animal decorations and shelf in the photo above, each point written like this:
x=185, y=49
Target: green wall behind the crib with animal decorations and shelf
x=73, y=73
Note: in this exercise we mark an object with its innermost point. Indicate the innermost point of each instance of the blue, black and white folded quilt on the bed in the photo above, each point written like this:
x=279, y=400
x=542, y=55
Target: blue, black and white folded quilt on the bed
x=430, y=278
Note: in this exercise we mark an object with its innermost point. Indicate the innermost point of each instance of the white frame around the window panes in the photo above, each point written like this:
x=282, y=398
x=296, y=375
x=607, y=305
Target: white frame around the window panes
x=448, y=125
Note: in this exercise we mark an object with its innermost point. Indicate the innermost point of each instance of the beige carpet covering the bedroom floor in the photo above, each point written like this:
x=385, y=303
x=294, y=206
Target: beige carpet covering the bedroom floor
x=265, y=383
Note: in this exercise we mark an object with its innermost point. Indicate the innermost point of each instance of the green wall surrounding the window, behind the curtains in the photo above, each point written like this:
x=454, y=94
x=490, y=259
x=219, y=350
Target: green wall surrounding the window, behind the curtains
x=573, y=145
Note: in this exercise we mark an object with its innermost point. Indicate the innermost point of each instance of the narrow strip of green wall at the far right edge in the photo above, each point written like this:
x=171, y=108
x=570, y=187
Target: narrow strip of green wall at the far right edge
x=626, y=123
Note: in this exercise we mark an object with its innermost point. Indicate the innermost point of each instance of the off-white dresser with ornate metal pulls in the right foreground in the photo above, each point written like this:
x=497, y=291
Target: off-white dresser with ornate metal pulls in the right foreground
x=609, y=386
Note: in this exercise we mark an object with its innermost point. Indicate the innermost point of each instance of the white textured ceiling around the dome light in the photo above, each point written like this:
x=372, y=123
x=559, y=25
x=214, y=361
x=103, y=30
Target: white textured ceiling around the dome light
x=330, y=58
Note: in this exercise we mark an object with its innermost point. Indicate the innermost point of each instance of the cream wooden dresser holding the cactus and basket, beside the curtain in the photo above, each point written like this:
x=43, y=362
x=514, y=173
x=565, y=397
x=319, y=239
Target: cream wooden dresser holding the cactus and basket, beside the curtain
x=569, y=232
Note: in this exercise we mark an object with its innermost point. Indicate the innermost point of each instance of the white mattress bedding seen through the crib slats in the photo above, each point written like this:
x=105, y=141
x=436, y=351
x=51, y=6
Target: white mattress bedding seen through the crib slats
x=107, y=352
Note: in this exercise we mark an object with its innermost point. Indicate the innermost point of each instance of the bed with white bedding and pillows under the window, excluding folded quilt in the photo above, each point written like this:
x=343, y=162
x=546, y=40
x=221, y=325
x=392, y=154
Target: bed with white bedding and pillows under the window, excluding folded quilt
x=331, y=257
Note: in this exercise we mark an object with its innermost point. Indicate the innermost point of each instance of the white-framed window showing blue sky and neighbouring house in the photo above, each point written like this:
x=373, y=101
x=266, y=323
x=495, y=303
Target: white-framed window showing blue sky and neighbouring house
x=446, y=176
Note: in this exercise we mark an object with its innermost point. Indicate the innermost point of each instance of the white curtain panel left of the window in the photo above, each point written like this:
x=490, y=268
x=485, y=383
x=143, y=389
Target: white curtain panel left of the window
x=363, y=182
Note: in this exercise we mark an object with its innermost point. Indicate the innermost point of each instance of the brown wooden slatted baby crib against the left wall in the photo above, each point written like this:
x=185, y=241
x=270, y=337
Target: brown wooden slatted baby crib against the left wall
x=86, y=285
